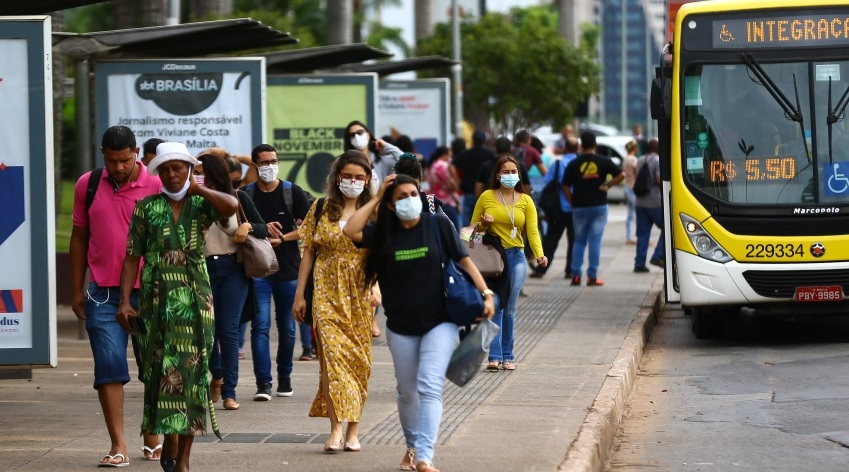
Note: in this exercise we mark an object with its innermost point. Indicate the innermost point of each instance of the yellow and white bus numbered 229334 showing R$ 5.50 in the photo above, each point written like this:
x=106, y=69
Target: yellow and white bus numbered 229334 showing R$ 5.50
x=751, y=100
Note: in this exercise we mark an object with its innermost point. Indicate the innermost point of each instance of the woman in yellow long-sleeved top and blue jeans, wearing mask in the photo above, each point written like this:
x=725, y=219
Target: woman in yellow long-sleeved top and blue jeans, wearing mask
x=506, y=212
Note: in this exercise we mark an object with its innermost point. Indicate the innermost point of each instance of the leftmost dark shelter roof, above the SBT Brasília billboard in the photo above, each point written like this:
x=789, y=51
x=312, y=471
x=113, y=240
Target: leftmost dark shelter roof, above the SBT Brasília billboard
x=184, y=40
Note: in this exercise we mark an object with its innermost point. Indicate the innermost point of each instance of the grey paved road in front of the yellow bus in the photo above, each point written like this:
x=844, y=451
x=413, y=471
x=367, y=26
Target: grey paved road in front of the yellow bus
x=773, y=395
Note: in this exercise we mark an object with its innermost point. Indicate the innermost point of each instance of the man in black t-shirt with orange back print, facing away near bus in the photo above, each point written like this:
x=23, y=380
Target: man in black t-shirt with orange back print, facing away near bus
x=585, y=186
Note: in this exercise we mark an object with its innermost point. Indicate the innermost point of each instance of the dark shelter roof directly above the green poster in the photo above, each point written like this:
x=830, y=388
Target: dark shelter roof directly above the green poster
x=325, y=57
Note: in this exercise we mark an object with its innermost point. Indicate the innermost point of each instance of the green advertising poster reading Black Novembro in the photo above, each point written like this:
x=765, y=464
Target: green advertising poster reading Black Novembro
x=306, y=120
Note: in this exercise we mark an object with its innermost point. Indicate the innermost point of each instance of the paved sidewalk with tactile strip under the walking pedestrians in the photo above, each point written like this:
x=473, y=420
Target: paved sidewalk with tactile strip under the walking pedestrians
x=577, y=349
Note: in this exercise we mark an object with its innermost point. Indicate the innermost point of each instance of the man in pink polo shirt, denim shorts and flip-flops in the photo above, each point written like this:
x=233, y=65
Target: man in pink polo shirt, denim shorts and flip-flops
x=98, y=244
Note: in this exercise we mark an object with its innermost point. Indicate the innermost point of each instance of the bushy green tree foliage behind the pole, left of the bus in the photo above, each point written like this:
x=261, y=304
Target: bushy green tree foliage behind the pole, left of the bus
x=517, y=70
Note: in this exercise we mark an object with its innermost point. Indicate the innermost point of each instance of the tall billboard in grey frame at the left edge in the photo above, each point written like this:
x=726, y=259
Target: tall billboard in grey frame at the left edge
x=27, y=228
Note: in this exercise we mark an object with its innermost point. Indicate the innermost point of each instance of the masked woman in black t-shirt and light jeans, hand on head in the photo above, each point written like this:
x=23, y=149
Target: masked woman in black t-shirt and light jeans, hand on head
x=404, y=258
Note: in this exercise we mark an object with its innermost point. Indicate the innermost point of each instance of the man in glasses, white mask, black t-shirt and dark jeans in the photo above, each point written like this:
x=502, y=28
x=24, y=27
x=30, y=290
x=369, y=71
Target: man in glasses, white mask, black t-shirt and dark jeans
x=270, y=200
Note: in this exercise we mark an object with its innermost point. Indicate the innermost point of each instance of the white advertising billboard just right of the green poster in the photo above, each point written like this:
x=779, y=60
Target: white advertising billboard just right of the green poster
x=416, y=108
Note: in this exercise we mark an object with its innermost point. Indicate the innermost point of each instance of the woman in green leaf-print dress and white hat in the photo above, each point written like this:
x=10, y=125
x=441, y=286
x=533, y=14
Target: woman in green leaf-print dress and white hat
x=175, y=302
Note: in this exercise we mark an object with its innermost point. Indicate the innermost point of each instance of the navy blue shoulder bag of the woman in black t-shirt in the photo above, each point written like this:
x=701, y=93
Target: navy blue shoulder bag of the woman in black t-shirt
x=463, y=301
